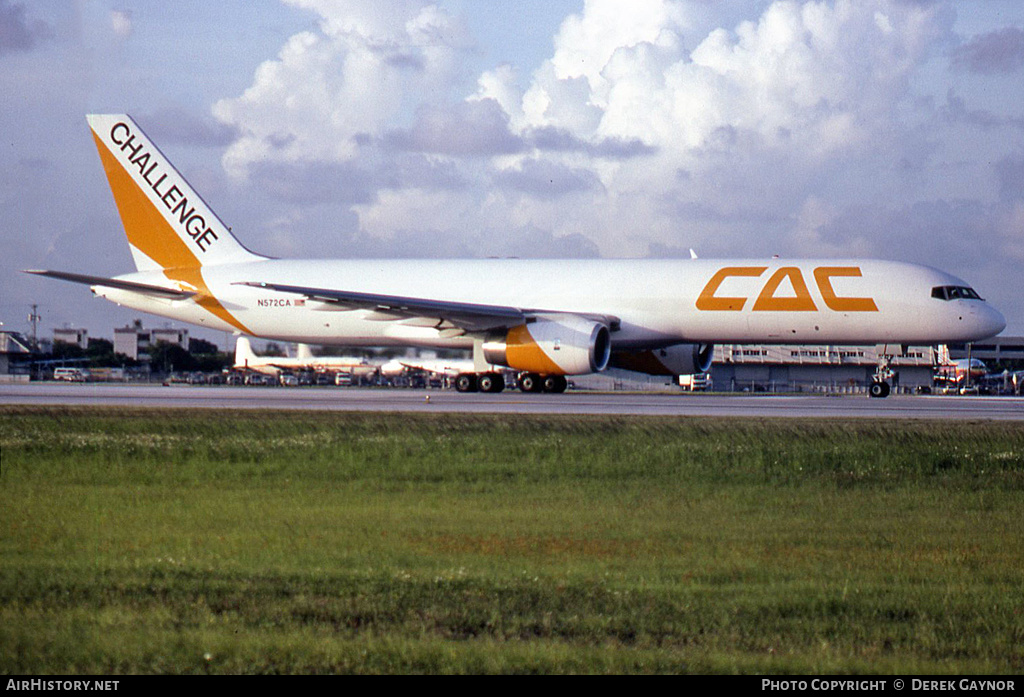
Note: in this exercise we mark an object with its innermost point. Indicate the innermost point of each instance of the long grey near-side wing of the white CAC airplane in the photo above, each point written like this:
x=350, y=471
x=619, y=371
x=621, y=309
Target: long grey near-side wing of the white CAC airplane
x=446, y=315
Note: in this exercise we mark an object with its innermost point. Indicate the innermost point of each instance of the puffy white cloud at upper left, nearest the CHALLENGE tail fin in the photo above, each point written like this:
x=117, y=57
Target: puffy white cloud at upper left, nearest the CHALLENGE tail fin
x=371, y=62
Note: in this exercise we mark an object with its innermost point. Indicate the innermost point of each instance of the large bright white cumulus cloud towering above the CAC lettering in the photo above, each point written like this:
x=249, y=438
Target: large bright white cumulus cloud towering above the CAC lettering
x=756, y=116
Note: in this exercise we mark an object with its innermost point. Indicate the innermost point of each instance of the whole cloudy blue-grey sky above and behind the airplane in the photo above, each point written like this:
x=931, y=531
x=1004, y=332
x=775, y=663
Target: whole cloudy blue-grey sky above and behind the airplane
x=889, y=129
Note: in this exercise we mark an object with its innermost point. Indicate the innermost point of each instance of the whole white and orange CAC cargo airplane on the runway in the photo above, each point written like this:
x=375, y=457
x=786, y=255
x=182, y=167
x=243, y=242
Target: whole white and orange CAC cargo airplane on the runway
x=545, y=319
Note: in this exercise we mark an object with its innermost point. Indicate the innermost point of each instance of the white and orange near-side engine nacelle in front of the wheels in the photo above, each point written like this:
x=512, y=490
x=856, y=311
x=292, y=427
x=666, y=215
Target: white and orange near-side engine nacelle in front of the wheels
x=565, y=346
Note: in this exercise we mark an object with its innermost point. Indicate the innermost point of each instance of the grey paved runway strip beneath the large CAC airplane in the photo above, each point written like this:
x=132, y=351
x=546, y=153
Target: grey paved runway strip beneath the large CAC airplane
x=357, y=400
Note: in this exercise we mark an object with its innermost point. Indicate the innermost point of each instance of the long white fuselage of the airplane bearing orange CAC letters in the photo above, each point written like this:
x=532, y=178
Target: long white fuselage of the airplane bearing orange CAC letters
x=659, y=302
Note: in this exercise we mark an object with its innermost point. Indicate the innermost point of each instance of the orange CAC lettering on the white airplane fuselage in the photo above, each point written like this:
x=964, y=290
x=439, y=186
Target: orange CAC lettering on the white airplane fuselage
x=710, y=301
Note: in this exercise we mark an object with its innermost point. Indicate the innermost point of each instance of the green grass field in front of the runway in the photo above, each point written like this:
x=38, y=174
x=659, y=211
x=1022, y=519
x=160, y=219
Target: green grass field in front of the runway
x=137, y=541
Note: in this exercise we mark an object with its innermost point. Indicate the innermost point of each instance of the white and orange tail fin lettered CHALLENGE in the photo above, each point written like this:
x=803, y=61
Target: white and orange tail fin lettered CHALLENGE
x=167, y=223
